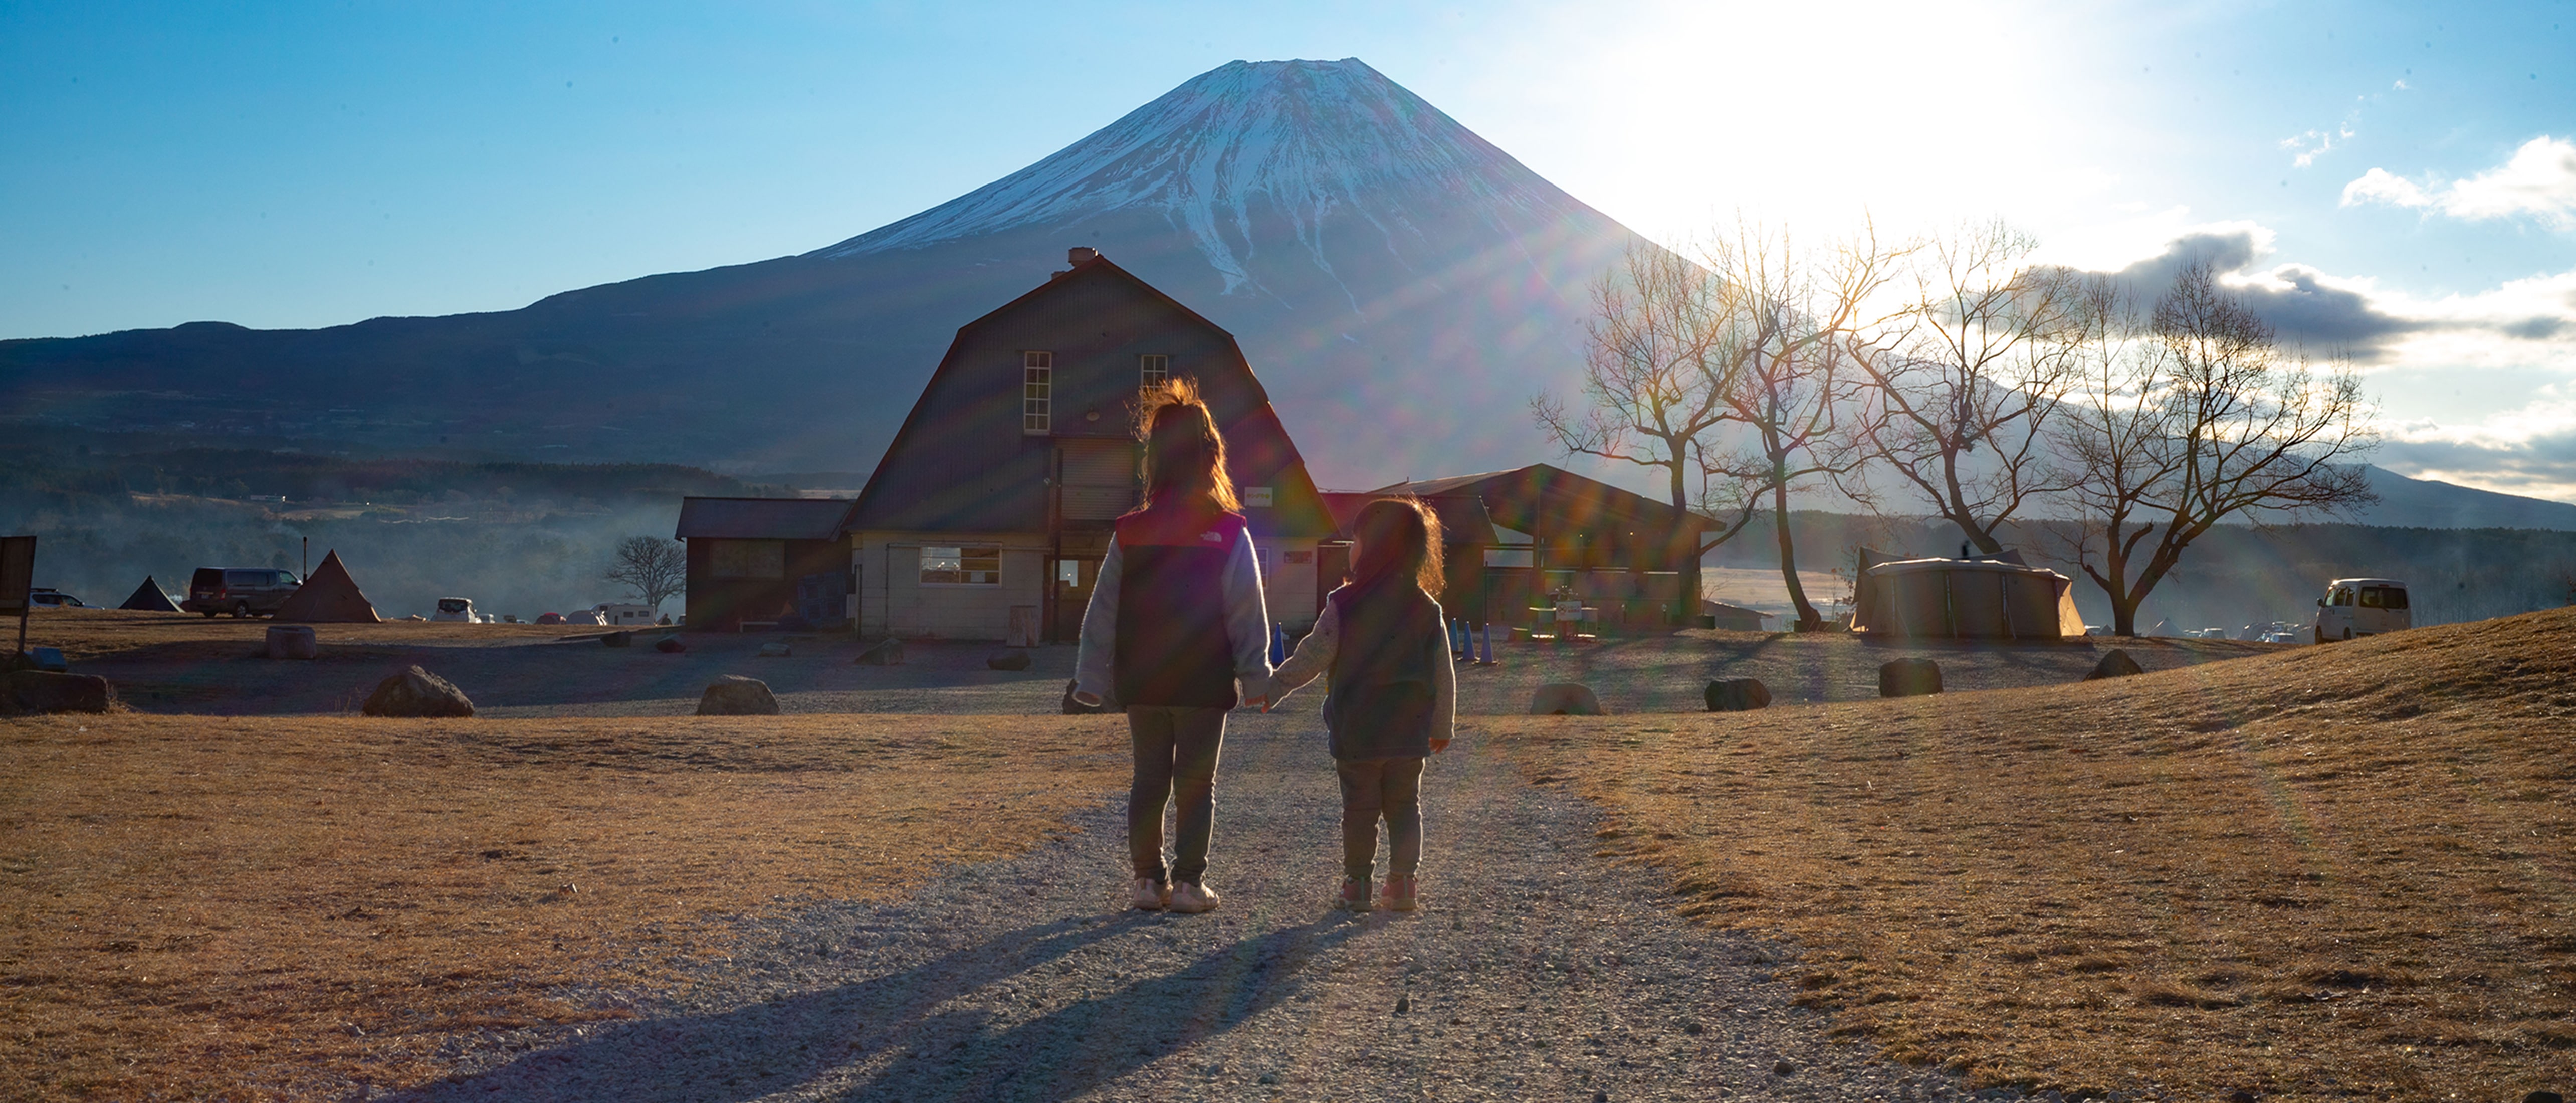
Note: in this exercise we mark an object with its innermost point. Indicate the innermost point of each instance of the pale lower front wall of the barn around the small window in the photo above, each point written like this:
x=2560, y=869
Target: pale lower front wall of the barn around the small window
x=895, y=602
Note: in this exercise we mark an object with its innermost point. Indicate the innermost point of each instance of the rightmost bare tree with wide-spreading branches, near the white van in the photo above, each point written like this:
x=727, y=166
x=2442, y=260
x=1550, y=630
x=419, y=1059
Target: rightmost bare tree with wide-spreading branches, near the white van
x=2193, y=419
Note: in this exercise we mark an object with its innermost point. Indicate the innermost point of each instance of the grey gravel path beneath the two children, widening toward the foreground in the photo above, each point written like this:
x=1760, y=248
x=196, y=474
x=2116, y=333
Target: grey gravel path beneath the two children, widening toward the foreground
x=1531, y=973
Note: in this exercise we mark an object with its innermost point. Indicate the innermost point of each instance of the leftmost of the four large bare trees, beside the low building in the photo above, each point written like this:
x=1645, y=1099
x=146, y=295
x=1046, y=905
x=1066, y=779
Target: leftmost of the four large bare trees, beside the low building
x=1658, y=380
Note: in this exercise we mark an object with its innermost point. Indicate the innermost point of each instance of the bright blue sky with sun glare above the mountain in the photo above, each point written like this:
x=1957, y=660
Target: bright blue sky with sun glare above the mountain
x=2407, y=174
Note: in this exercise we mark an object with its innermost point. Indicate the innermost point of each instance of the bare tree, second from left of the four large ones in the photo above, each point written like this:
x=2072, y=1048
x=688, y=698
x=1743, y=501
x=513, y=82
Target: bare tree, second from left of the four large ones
x=1797, y=385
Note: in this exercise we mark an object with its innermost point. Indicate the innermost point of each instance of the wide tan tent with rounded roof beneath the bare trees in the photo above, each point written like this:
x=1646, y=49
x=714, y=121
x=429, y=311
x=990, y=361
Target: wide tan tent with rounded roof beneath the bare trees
x=1967, y=599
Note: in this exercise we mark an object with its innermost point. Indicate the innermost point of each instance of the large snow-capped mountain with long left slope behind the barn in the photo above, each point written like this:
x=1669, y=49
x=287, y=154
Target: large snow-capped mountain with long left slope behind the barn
x=1397, y=282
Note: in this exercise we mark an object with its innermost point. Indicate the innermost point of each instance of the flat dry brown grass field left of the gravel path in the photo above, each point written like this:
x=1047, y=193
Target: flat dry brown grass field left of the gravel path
x=259, y=908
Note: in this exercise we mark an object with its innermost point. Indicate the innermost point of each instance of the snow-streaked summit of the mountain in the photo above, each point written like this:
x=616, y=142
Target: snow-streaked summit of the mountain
x=1307, y=140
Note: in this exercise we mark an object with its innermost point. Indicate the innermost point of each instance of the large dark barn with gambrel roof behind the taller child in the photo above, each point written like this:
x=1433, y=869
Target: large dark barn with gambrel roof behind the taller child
x=993, y=506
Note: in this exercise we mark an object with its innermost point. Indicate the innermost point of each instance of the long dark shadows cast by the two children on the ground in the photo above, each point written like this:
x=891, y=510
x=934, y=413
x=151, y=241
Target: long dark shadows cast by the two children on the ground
x=918, y=1053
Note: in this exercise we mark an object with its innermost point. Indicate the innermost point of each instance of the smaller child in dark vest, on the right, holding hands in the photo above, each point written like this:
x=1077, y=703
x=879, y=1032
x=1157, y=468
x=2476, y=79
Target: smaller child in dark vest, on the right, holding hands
x=1392, y=695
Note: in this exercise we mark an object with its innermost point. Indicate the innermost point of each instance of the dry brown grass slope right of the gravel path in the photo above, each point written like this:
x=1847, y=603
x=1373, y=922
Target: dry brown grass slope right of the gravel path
x=2335, y=872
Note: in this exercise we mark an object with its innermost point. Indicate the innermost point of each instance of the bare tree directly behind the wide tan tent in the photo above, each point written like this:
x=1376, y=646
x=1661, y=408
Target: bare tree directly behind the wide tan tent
x=1962, y=385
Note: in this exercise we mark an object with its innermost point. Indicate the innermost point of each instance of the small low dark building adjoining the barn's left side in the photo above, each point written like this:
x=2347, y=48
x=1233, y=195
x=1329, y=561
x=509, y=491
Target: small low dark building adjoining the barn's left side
x=766, y=563
